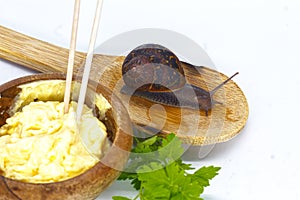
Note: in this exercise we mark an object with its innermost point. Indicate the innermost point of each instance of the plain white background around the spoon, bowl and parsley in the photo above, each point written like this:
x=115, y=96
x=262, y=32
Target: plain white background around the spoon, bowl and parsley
x=258, y=38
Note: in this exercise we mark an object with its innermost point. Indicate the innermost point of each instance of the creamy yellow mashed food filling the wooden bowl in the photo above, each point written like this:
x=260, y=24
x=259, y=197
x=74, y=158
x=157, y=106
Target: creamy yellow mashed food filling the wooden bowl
x=41, y=144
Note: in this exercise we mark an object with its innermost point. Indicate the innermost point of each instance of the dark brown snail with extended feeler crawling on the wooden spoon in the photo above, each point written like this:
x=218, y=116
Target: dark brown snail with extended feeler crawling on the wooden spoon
x=153, y=72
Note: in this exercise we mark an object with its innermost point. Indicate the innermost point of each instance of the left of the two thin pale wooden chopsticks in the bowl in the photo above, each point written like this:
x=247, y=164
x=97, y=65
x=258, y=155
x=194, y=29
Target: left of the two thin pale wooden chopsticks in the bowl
x=71, y=56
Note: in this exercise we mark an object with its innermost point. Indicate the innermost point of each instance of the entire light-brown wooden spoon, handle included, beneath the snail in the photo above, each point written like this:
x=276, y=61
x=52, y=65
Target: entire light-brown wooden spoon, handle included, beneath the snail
x=223, y=122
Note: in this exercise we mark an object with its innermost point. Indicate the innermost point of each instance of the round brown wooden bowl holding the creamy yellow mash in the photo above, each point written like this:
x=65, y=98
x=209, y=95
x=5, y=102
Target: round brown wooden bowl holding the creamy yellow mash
x=89, y=184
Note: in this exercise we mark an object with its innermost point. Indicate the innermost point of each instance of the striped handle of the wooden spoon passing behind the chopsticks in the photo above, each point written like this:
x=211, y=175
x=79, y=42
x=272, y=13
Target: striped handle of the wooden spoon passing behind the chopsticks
x=33, y=53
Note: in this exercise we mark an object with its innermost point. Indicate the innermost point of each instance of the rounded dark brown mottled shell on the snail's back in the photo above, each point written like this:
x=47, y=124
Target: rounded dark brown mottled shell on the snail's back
x=154, y=67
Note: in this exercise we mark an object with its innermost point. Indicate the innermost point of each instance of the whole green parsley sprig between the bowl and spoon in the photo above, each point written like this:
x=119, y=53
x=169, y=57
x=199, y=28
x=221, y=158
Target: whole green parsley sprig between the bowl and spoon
x=162, y=174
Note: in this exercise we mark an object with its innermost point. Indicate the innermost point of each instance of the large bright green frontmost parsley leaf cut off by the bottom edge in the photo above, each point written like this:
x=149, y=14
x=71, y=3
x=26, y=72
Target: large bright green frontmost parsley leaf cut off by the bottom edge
x=173, y=183
